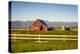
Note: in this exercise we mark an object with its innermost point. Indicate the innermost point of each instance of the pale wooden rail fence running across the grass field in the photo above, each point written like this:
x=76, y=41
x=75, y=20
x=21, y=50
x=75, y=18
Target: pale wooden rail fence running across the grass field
x=43, y=37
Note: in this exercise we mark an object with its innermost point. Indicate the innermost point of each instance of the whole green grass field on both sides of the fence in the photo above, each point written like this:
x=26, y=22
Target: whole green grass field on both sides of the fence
x=31, y=46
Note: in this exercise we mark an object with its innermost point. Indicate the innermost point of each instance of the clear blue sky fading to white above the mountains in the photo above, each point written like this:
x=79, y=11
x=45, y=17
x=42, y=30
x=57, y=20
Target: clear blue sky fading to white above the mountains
x=24, y=11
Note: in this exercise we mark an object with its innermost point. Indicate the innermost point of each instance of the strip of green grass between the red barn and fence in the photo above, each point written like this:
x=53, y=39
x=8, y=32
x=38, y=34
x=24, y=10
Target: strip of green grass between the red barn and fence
x=54, y=32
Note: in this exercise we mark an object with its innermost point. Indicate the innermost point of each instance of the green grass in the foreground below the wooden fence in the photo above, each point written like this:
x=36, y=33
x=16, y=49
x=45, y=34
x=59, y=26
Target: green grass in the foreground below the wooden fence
x=31, y=45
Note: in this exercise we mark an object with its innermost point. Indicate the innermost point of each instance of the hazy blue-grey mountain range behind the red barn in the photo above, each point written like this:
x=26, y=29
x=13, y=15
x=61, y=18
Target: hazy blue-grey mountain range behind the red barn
x=25, y=24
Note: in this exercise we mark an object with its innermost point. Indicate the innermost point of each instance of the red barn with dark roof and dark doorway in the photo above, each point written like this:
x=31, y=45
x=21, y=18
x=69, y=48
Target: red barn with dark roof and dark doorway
x=38, y=25
